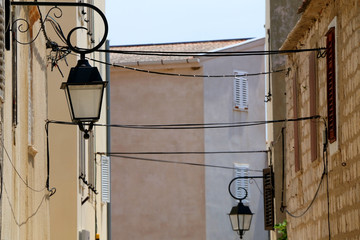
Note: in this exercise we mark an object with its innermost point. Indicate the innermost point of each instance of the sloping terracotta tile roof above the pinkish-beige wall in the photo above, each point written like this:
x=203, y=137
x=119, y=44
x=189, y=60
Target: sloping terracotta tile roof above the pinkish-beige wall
x=200, y=46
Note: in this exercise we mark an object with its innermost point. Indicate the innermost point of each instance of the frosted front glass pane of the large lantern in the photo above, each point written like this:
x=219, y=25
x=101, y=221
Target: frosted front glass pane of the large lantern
x=85, y=101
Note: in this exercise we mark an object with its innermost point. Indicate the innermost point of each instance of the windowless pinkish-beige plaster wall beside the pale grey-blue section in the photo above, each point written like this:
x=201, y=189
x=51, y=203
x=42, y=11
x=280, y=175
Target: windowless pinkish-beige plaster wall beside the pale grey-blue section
x=152, y=200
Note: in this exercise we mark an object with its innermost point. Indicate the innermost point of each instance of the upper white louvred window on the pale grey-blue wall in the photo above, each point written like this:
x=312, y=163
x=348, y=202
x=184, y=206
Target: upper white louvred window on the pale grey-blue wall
x=241, y=93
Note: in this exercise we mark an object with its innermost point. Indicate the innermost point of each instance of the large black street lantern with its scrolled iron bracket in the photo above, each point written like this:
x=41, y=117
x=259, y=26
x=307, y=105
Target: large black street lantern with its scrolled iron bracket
x=84, y=88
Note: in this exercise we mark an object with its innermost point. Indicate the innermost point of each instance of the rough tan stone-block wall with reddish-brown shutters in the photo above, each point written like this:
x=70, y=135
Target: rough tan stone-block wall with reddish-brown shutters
x=344, y=164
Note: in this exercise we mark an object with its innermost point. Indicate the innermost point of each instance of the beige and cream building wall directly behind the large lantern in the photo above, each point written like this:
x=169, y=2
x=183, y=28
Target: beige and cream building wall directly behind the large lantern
x=68, y=215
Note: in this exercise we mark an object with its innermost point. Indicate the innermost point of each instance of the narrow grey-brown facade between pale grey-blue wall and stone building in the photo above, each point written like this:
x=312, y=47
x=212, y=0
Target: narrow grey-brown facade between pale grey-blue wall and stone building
x=281, y=17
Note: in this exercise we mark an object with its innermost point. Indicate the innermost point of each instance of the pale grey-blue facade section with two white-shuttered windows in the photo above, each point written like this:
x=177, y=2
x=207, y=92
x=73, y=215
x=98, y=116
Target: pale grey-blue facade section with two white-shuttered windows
x=226, y=102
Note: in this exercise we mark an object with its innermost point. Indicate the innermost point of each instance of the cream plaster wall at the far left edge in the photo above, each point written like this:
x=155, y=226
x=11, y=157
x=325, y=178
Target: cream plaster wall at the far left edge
x=25, y=204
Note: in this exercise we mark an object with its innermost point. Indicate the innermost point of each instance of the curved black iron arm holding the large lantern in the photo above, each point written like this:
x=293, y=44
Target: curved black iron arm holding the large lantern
x=65, y=4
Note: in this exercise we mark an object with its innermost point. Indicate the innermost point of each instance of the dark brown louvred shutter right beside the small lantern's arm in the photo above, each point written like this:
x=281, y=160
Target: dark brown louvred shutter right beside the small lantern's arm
x=268, y=198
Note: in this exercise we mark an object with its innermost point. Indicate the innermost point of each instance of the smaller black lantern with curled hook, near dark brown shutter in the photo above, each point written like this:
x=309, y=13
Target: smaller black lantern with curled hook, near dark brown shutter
x=240, y=215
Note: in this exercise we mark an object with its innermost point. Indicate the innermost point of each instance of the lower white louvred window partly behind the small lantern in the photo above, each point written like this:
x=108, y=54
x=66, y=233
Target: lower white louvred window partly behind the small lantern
x=242, y=170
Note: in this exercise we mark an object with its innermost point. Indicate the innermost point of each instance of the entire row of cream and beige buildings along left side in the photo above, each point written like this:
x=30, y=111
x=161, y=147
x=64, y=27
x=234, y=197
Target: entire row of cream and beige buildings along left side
x=41, y=194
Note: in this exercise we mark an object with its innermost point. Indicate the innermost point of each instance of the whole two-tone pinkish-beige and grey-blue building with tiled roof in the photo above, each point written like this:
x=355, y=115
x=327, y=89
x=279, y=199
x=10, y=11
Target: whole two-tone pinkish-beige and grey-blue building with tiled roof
x=173, y=196
